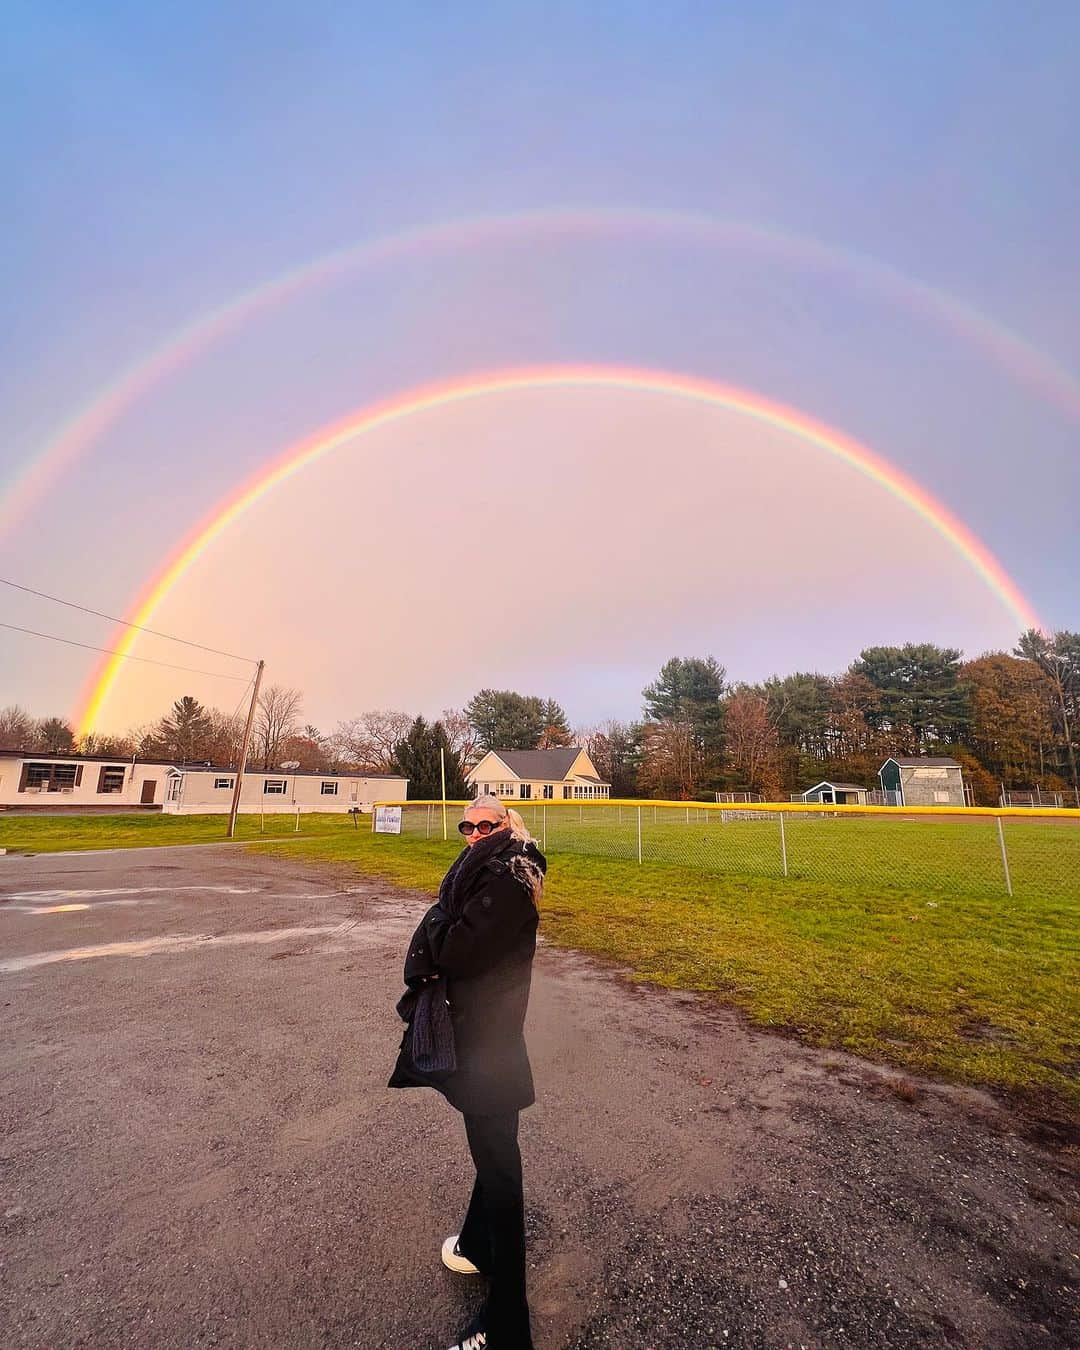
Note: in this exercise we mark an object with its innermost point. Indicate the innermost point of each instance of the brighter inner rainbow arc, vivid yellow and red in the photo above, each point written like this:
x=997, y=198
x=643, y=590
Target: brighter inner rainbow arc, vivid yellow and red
x=408, y=404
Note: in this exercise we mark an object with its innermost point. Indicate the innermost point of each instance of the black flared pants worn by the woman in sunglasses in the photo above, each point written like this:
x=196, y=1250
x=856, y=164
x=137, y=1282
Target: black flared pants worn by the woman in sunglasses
x=493, y=1236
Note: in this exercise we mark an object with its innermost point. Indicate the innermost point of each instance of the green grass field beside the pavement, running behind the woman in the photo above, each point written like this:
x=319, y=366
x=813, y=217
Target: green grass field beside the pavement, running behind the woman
x=951, y=978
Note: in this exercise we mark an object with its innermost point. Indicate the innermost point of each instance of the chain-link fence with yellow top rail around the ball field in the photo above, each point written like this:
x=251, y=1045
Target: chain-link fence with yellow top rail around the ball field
x=936, y=851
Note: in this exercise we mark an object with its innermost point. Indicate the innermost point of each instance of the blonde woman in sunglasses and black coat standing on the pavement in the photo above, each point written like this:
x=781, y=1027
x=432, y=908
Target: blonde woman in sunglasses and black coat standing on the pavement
x=481, y=938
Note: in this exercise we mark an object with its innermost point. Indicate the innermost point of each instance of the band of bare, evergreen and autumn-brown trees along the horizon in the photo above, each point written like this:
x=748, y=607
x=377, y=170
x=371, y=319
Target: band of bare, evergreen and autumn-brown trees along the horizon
x=1010, y=719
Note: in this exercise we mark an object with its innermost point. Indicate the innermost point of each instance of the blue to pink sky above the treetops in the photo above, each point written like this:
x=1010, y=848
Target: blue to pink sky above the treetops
x=863, y=214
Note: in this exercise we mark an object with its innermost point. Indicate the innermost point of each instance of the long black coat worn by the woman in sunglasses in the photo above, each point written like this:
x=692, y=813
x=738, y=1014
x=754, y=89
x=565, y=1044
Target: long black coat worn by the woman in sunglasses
x=487, y=956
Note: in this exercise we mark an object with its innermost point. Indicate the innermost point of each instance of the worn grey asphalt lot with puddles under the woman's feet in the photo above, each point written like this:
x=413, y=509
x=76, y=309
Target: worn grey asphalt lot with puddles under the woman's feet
x=199, y=1148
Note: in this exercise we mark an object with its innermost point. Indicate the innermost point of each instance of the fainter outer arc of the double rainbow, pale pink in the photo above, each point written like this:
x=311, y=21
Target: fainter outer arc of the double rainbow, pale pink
x=86, y=429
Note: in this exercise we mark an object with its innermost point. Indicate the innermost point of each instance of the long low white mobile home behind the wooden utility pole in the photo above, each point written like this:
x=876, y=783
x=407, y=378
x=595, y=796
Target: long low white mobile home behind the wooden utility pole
x=209, y=792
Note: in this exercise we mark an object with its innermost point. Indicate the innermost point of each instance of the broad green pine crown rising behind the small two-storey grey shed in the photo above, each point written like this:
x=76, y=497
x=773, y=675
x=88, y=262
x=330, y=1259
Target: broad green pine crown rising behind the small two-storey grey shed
x=921, y=697
